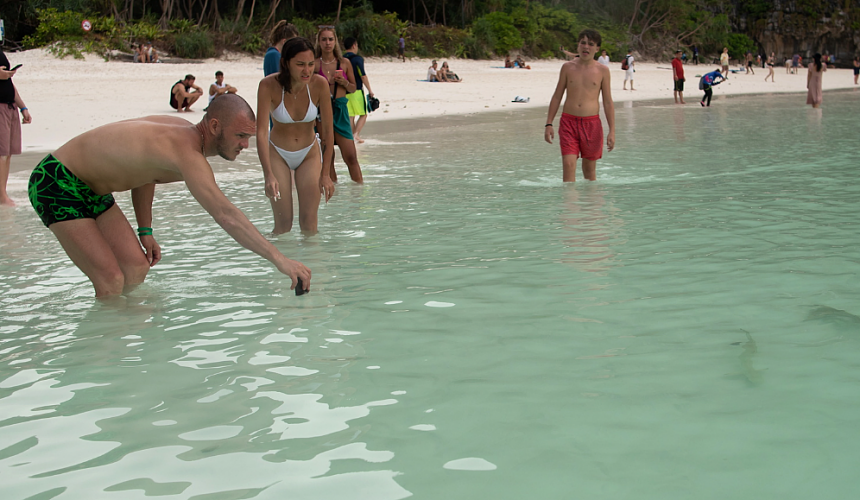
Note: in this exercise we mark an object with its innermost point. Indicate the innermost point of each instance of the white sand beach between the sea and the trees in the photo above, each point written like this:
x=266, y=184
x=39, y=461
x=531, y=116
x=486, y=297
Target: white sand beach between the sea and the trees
x=69, y=96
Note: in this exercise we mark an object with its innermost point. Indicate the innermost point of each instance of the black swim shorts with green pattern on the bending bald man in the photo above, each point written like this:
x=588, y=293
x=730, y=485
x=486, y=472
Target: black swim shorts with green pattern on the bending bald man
x=59, y=195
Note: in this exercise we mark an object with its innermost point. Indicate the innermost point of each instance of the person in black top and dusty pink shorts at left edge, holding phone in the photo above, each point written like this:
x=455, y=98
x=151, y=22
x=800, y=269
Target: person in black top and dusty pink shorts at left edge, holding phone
x=10, y=124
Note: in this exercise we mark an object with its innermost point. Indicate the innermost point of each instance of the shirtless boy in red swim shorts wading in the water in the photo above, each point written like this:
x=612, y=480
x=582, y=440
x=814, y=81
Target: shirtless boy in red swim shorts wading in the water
x=580, y=131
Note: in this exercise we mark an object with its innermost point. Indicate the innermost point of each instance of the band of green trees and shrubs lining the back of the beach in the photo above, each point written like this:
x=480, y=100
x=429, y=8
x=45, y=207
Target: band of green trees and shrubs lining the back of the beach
x=467, y=28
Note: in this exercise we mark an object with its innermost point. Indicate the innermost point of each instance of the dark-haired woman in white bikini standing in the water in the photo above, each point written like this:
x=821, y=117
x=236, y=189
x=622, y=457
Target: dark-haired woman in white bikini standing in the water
x=293, y=97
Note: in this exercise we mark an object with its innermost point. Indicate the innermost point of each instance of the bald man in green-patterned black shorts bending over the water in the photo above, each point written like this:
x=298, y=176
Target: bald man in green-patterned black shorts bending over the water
x=71, y=190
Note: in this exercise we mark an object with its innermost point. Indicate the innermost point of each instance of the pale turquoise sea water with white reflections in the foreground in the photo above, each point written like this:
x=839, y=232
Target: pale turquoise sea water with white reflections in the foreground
x=688, y=326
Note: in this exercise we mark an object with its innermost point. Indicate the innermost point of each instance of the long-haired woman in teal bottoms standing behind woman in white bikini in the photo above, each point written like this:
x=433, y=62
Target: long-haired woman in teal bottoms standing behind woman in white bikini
x=337, y=70
